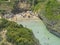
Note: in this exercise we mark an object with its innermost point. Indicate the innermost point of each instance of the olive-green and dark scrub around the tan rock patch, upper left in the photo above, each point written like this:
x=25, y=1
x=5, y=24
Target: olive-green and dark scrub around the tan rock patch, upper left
x=12, y=6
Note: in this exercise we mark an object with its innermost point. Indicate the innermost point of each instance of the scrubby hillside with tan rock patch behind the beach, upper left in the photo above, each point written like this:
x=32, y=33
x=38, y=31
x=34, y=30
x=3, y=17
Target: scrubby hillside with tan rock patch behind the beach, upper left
x=15, y=6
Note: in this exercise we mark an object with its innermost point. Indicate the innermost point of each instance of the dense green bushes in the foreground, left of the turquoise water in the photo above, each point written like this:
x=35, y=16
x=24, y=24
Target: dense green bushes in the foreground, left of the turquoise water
x=17, y=34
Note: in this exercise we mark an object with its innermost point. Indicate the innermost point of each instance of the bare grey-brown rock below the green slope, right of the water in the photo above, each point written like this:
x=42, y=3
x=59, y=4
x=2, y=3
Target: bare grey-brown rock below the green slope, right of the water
x=52, y=26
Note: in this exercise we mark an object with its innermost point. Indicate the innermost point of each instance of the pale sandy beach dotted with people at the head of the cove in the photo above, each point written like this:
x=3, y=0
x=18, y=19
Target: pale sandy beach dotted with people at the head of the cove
x=29, y=15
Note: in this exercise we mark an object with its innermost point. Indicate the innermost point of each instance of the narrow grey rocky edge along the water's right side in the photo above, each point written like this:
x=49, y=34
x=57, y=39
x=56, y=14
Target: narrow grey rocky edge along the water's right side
x=49, y=26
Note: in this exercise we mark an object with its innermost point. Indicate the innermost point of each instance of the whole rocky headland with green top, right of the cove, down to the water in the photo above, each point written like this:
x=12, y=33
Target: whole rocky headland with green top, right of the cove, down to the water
x=50, y=15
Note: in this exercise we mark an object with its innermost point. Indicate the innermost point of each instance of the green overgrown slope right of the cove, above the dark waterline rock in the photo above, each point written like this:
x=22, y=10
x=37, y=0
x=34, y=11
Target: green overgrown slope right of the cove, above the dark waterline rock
x=49, y=12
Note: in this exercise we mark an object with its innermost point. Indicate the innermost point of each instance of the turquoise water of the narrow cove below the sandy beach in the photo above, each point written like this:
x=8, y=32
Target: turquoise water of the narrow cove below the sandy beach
x=40, y=31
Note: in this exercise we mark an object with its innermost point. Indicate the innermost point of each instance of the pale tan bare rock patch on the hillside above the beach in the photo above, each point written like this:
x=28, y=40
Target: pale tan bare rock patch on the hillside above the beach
x=24, y=4
